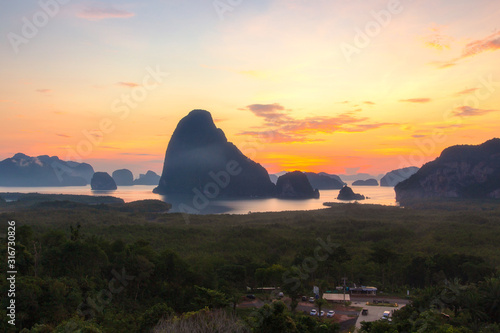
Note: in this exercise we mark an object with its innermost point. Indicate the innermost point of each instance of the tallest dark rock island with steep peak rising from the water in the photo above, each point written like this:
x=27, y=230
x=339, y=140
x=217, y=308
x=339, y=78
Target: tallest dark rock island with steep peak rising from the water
x=200, y=161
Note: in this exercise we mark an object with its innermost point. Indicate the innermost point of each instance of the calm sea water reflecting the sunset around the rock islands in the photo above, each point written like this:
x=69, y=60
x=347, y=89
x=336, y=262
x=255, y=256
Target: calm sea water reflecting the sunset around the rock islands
x=376, y=194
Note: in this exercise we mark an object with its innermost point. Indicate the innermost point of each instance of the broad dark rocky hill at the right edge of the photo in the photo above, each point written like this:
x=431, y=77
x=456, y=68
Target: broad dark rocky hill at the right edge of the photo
x=464, y=171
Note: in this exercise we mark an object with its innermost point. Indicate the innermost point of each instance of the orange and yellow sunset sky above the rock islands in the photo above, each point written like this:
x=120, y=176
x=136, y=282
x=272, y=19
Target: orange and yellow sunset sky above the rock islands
x=327, y=85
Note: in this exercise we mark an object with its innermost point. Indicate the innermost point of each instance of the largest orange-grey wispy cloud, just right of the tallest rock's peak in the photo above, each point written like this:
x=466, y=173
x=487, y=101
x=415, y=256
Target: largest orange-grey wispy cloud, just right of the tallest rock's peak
x=283, y=127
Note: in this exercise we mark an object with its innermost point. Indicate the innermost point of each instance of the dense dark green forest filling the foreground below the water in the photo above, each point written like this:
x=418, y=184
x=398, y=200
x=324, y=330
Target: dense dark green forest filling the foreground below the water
x=123, y=267
